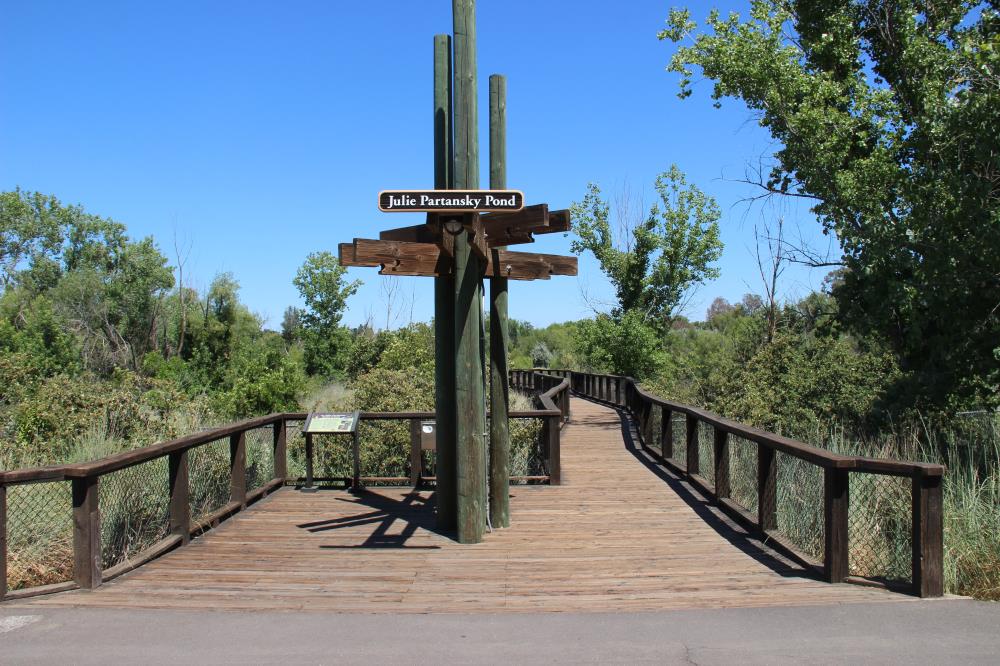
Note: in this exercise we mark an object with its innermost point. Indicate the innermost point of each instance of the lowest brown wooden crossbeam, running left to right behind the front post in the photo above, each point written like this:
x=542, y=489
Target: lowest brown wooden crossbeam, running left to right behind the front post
x=427, y=259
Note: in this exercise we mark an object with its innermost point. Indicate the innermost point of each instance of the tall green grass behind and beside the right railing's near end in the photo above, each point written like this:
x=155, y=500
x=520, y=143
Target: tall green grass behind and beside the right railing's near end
x=880, y=506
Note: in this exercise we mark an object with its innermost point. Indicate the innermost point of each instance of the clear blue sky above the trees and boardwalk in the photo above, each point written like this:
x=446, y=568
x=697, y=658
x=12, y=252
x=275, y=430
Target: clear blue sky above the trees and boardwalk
x=257, y=132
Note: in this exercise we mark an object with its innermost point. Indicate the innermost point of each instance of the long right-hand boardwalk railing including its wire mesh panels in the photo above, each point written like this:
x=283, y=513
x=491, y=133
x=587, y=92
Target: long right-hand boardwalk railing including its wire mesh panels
x=772, y=484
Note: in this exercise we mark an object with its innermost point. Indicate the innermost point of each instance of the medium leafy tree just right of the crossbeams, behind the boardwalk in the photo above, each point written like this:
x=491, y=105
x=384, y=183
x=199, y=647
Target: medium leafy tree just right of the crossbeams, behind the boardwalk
x=652, y=262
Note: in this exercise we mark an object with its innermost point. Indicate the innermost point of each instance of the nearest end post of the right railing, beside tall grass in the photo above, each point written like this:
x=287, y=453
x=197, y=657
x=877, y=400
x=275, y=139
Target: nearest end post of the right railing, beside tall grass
x=928, y=536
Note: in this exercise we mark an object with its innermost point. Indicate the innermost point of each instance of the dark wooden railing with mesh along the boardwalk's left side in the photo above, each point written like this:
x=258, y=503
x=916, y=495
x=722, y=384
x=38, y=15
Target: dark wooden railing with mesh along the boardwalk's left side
x=86, y=523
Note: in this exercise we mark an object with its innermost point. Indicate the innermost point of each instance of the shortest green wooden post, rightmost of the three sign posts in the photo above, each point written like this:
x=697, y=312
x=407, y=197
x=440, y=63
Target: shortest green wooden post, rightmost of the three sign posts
x=499, y=336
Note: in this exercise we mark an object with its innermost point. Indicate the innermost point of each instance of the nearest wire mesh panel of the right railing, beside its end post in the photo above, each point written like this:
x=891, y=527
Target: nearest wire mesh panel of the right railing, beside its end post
x=879, y=527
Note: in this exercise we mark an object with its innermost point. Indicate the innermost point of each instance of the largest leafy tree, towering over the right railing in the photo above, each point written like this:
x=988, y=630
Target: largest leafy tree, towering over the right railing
x=888, y=120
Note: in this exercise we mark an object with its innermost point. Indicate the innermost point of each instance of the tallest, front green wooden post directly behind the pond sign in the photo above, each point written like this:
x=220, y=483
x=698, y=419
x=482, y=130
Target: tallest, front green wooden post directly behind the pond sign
x=470, y=399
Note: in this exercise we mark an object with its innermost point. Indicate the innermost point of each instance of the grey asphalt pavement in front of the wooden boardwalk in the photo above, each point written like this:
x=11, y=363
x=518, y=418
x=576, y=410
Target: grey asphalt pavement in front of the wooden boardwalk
x=936, y=631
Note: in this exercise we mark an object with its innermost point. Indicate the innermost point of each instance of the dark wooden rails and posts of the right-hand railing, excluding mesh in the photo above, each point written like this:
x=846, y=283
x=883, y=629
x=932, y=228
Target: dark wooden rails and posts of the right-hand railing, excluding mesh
x=926, y=500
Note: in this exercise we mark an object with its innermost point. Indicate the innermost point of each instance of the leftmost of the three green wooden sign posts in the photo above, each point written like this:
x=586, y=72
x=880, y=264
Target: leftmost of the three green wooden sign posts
x=444, y=301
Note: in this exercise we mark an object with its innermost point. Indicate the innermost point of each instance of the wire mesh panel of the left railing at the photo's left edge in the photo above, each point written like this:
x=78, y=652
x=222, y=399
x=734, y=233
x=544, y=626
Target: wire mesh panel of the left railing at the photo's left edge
x=39, y=534
